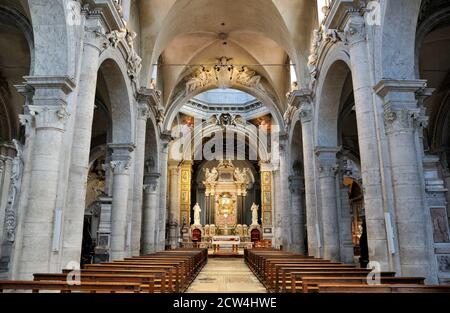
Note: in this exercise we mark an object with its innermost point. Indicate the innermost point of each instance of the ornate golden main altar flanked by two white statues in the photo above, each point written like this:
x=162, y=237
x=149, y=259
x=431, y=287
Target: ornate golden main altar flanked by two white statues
x=225, y=191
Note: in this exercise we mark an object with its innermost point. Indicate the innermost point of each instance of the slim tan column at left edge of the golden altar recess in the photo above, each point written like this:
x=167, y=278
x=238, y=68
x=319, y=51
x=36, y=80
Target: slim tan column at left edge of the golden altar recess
x=174, y=204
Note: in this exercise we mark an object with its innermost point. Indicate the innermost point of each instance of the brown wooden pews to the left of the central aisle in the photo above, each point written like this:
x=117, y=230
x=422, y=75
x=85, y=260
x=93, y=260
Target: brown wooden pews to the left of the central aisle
x=163, y=272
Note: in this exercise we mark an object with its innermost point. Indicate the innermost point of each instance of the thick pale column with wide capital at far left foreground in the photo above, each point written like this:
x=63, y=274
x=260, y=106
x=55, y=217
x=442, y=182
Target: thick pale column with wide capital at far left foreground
x=50, y=116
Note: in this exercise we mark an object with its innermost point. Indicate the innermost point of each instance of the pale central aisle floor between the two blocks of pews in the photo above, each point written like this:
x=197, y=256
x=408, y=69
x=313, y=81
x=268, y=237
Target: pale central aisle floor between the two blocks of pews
x=228, y=275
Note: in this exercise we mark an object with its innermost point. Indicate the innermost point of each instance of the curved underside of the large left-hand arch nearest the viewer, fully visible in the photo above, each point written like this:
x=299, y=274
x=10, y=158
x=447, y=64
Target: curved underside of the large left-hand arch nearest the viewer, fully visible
x=121, y=99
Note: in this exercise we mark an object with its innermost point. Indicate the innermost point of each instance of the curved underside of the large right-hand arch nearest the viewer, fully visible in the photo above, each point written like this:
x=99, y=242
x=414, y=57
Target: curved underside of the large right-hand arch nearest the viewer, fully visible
x=335, y=69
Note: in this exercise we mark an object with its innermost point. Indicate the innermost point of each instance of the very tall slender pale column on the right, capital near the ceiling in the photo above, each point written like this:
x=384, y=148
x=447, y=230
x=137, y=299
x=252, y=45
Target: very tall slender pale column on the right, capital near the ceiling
x=367, y=137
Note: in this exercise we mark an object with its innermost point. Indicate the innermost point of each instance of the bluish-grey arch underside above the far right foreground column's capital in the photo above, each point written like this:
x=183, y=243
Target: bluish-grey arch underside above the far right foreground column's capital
x=398, y=39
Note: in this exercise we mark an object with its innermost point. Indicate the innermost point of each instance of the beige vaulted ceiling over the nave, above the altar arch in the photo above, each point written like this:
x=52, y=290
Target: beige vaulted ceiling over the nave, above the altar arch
x=264, y=34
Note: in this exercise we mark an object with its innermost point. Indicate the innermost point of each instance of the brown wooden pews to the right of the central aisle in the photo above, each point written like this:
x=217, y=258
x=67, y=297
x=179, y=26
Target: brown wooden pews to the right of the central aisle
x=282, y=271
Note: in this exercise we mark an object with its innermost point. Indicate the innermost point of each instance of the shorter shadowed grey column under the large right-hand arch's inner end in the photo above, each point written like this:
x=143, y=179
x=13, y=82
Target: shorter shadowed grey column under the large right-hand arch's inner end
x=327, y=178
